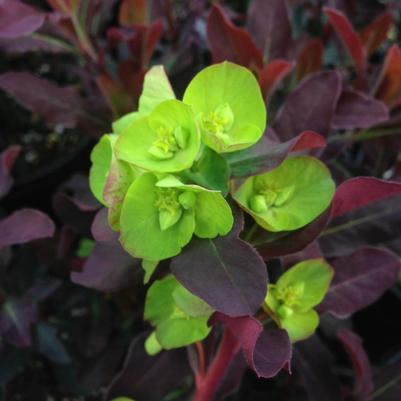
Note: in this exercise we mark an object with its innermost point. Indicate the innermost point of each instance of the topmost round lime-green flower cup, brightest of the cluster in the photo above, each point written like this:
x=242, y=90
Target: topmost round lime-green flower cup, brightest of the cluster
x=228, y=103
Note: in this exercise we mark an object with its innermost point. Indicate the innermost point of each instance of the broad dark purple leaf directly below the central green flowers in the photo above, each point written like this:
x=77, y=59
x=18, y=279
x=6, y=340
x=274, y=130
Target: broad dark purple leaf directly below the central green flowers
x=225, y=272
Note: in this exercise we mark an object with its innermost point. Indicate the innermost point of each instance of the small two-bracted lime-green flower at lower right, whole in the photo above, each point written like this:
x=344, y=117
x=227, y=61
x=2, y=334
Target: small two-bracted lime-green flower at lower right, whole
x=291, y=300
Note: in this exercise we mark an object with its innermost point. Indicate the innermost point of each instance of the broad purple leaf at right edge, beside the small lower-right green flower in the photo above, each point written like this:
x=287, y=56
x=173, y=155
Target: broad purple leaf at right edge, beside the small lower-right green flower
x=360, y=278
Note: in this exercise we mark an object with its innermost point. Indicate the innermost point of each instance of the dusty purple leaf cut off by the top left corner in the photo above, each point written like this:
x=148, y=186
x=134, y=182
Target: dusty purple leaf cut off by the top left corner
x=18, y=19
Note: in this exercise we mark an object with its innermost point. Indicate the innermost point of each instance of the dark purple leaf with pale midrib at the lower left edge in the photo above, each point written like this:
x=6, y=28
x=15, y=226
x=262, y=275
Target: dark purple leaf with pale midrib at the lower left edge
x=16, y=318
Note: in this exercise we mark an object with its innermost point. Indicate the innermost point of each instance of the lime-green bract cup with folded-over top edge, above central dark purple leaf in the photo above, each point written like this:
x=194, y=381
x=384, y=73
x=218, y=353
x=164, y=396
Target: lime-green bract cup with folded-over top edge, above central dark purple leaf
x=160, y=214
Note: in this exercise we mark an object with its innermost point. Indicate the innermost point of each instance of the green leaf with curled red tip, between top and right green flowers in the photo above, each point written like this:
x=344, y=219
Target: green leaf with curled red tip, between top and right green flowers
x=266, y=154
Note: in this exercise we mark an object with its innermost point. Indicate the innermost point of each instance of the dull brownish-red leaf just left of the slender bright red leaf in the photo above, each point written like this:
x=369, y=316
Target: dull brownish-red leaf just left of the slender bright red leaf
x=310, y=59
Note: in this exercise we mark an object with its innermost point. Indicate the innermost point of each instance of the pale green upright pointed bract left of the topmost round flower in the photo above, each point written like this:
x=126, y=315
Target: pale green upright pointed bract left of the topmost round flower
x=156, y=89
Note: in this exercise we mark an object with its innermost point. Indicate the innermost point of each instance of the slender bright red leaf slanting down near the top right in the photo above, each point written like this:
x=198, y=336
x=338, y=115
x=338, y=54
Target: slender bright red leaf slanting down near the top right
x=349, y=37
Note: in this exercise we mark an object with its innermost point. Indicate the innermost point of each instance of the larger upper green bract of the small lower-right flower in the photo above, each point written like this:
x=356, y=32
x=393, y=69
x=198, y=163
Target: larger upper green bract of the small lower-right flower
x=314, y=275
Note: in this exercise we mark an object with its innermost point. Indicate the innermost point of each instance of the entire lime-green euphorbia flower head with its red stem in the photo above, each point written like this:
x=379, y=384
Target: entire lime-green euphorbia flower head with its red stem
x=169, y=164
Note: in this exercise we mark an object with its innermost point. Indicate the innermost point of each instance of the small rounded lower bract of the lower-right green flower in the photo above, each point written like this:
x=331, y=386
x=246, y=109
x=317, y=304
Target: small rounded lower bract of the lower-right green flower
x=301, y=325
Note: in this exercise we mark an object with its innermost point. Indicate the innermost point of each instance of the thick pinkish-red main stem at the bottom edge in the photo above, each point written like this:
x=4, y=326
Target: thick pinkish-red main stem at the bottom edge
x=207, y=385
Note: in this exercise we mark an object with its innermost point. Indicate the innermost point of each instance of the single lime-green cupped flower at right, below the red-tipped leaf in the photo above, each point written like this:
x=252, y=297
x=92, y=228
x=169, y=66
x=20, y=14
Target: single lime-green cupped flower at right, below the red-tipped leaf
x=288, y=197
